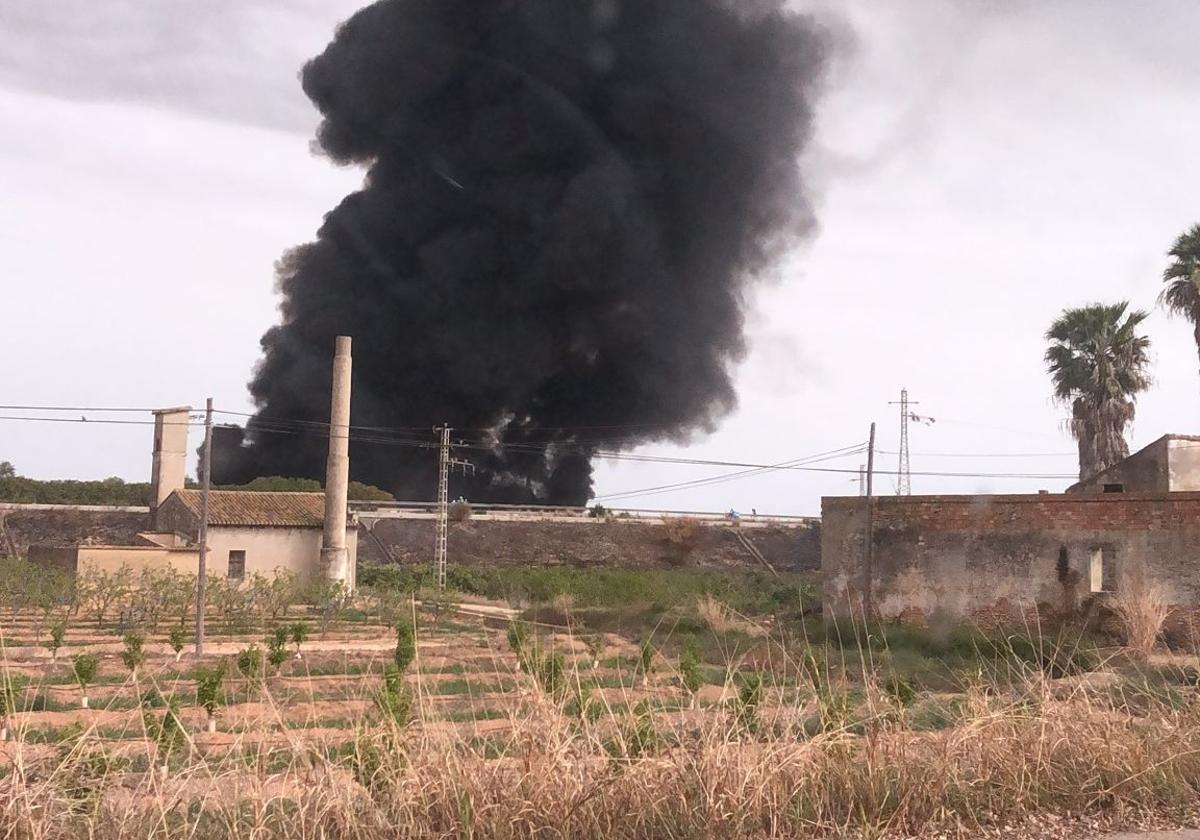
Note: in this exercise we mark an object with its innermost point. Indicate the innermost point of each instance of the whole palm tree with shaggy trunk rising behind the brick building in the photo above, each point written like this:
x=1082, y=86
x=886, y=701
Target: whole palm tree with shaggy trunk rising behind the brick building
x=1099, y=363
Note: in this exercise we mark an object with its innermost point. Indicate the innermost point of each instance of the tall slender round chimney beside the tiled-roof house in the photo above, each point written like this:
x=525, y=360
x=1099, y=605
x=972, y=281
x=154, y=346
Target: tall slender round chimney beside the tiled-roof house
x=334, y=557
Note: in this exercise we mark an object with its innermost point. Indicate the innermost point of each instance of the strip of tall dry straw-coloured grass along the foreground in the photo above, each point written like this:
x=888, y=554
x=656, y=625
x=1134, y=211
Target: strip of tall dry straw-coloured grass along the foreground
x=1009, y=759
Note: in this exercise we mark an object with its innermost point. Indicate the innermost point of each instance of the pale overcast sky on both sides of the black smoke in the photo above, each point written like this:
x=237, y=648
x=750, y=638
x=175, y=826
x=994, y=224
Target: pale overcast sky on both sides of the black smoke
x=980, y=167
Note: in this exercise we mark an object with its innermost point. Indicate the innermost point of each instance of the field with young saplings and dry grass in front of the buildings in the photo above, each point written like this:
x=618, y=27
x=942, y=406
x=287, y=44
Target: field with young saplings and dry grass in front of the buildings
x=563, y=711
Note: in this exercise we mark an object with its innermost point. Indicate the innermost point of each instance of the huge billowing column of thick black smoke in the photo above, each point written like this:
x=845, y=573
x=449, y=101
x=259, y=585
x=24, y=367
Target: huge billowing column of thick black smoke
x=563, y=206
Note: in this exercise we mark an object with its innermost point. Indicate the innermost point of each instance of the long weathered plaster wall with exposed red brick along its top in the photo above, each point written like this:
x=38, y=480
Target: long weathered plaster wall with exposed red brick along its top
x=1006, y=559
